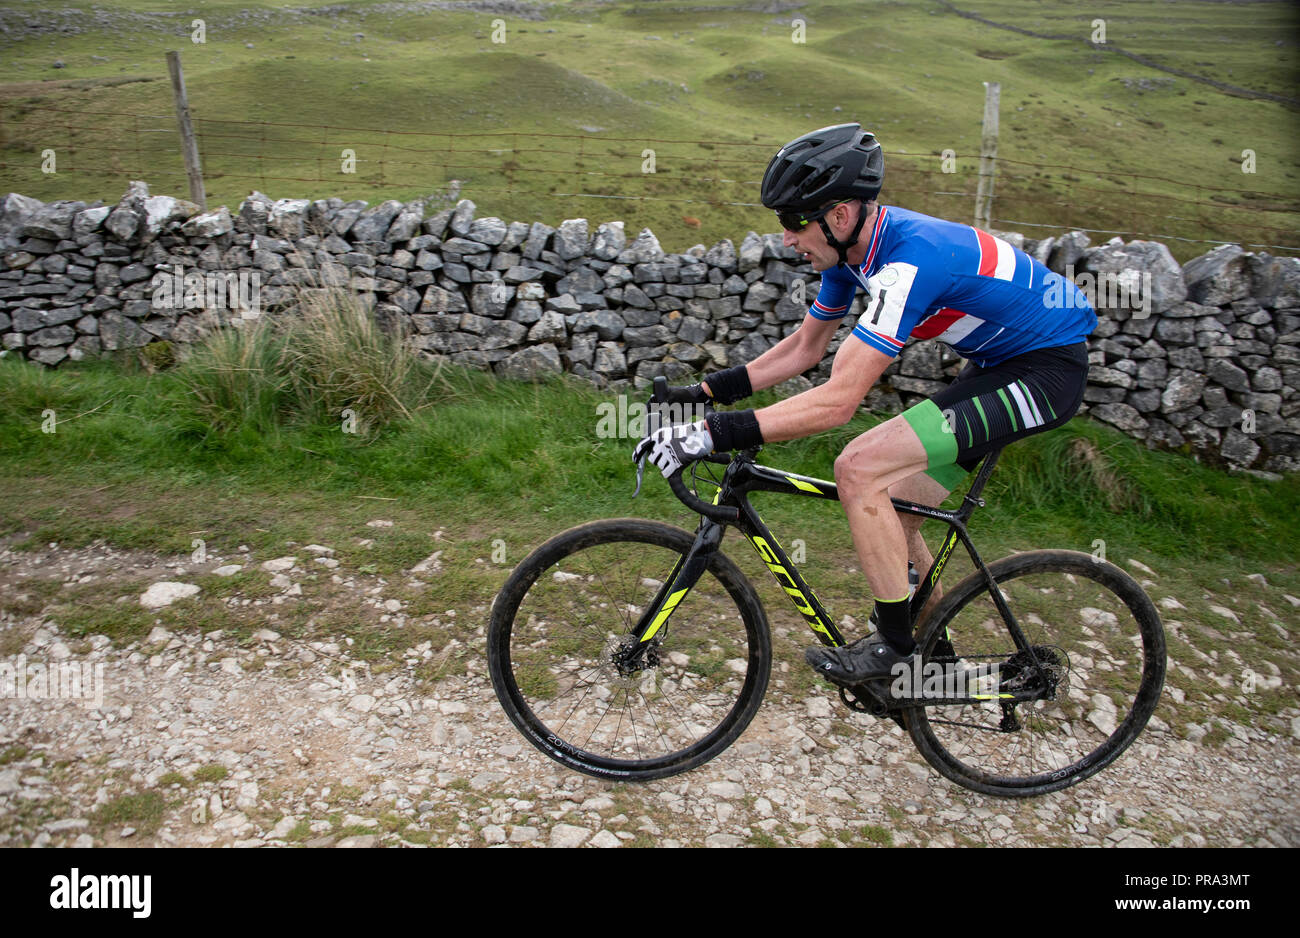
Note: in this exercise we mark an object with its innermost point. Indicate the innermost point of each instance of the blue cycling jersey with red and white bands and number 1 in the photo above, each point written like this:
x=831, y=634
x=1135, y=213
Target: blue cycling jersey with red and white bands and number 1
x=930, y=279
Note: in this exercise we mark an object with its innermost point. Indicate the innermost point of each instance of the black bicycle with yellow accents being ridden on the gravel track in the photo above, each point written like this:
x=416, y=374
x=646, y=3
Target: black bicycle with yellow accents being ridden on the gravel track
x=635, y=650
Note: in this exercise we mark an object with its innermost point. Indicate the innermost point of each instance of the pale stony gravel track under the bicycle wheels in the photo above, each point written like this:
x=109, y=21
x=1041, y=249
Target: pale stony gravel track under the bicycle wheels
x=202, y=741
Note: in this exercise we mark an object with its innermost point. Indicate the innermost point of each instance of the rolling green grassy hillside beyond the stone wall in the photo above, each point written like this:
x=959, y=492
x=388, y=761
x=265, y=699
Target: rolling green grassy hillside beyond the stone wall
x=554, y=121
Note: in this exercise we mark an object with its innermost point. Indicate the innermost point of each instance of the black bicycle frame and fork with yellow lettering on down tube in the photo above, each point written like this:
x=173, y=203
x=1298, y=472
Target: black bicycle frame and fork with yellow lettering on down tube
x=746, y=476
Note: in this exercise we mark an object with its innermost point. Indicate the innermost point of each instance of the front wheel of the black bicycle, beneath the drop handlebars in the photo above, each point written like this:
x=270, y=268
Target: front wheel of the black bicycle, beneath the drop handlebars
x=562, y=615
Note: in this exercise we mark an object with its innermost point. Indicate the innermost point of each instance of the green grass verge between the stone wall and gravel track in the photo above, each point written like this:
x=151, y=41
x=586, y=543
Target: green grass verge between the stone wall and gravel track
x=523, y=459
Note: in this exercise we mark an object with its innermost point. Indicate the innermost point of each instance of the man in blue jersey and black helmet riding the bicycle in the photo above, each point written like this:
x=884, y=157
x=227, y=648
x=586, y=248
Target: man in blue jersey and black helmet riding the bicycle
x=1021, y=328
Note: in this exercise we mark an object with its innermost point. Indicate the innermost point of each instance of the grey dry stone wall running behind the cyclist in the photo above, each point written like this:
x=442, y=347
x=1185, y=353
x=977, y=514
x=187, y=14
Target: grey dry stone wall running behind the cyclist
x=1202, y=358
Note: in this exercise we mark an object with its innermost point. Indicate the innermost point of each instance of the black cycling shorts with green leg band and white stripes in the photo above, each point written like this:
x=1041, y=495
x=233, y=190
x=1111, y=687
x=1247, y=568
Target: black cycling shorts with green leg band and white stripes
x=986, y=409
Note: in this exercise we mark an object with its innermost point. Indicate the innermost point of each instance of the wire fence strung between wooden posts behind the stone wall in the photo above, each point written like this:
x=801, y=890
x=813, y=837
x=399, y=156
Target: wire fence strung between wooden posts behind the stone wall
x=47, y=149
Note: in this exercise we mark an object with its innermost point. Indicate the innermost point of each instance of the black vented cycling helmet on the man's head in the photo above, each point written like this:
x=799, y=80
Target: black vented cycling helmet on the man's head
x=830, y=166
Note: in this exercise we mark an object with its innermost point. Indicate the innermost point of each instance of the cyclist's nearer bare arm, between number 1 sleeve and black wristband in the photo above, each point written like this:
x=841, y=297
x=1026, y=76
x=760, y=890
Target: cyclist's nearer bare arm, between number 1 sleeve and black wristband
x=856, y=370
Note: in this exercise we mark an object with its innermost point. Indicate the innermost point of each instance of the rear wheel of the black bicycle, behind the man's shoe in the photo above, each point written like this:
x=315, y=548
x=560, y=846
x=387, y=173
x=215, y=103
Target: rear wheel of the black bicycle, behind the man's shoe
x=1091, y=655
